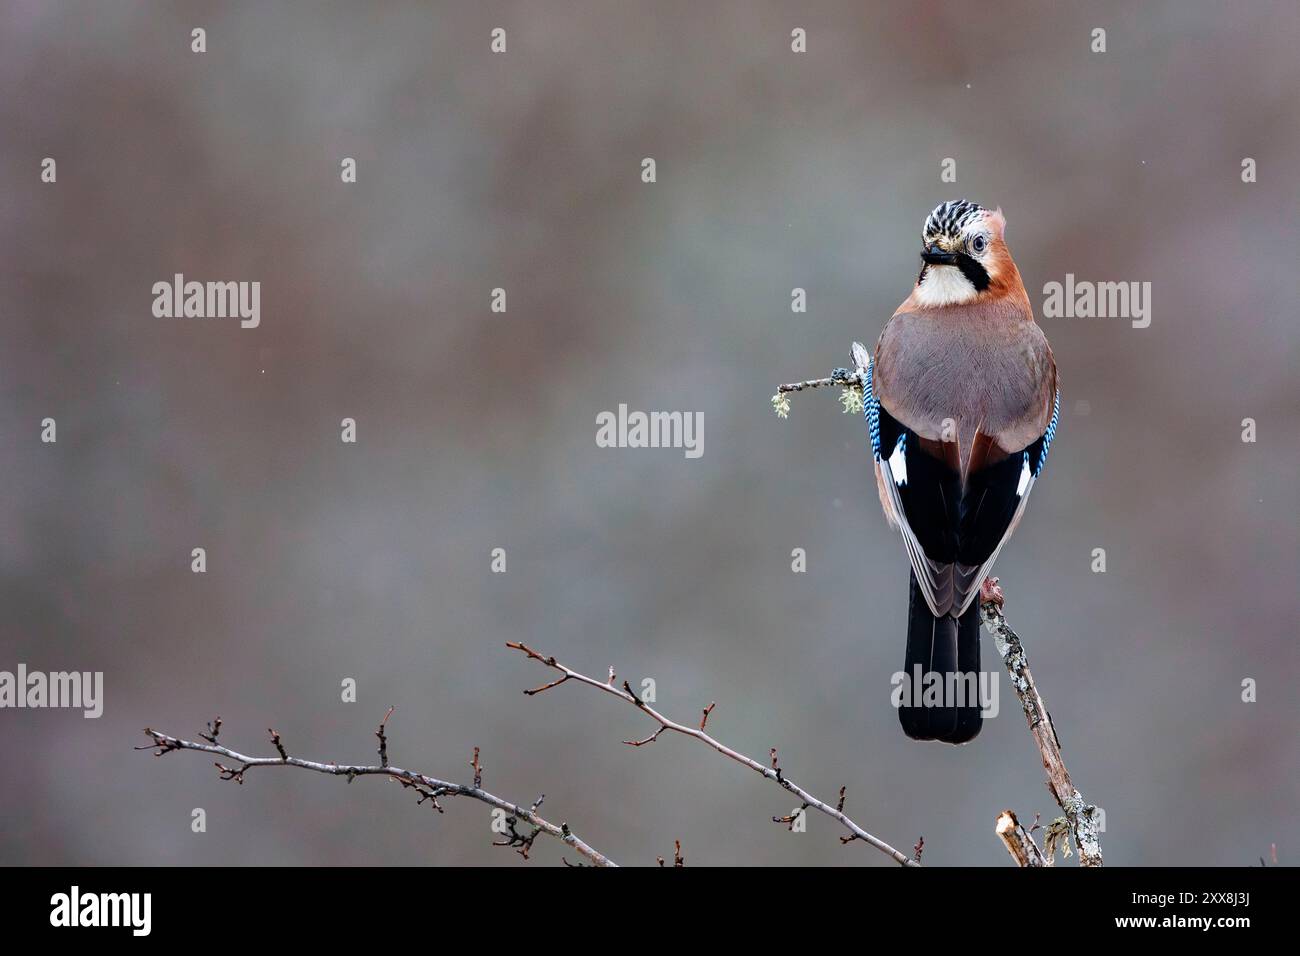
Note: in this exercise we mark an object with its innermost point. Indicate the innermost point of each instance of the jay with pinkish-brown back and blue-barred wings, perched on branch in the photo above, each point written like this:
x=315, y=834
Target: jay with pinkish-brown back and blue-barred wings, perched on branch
x=961, y=401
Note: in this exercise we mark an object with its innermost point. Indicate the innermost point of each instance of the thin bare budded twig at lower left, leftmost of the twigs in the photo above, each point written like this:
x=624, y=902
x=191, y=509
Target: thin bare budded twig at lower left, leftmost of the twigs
x=428, y=788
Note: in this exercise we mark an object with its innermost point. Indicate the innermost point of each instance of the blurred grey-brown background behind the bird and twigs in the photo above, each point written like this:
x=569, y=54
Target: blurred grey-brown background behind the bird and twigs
x=476, y=430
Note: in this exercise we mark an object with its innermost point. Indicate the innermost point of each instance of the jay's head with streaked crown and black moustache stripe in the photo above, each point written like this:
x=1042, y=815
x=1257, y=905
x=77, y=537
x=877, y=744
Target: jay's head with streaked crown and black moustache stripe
x=964, y=257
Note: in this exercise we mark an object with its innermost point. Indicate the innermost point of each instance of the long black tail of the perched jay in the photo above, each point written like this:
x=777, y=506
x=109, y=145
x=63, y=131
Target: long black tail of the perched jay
x=950, y=647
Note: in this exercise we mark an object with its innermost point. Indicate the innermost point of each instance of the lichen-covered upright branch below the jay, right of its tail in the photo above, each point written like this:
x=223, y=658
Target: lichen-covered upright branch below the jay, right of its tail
x=1080, y=815
